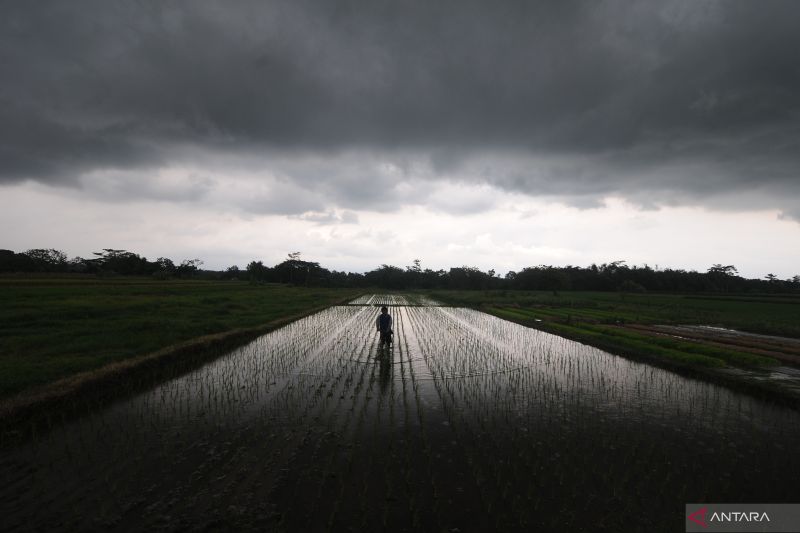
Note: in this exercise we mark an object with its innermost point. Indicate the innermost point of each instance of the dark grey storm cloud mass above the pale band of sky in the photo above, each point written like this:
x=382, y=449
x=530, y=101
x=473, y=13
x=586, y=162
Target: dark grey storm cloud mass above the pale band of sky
x=659, y=101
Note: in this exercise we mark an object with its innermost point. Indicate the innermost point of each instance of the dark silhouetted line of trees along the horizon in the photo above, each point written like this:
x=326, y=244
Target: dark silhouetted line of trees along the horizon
x=614, y=276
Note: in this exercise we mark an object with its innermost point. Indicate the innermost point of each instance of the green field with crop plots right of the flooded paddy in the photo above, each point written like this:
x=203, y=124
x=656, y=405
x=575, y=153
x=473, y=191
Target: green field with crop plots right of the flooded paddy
x=606, y=320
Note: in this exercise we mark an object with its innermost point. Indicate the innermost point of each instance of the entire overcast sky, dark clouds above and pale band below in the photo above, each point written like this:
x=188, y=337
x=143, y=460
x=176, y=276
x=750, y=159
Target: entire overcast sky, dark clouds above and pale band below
x=494, y=134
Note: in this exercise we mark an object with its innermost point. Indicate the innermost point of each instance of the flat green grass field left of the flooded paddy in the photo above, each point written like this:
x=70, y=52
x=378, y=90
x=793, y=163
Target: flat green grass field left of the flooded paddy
x=51, y=328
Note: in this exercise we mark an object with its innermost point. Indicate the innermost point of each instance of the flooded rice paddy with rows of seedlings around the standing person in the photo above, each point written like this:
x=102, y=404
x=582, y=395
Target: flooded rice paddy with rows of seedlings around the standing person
x=467, y=423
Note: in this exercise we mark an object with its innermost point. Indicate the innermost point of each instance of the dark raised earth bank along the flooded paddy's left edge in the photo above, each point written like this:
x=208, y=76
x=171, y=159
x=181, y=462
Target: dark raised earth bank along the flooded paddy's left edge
x=78, y=394
